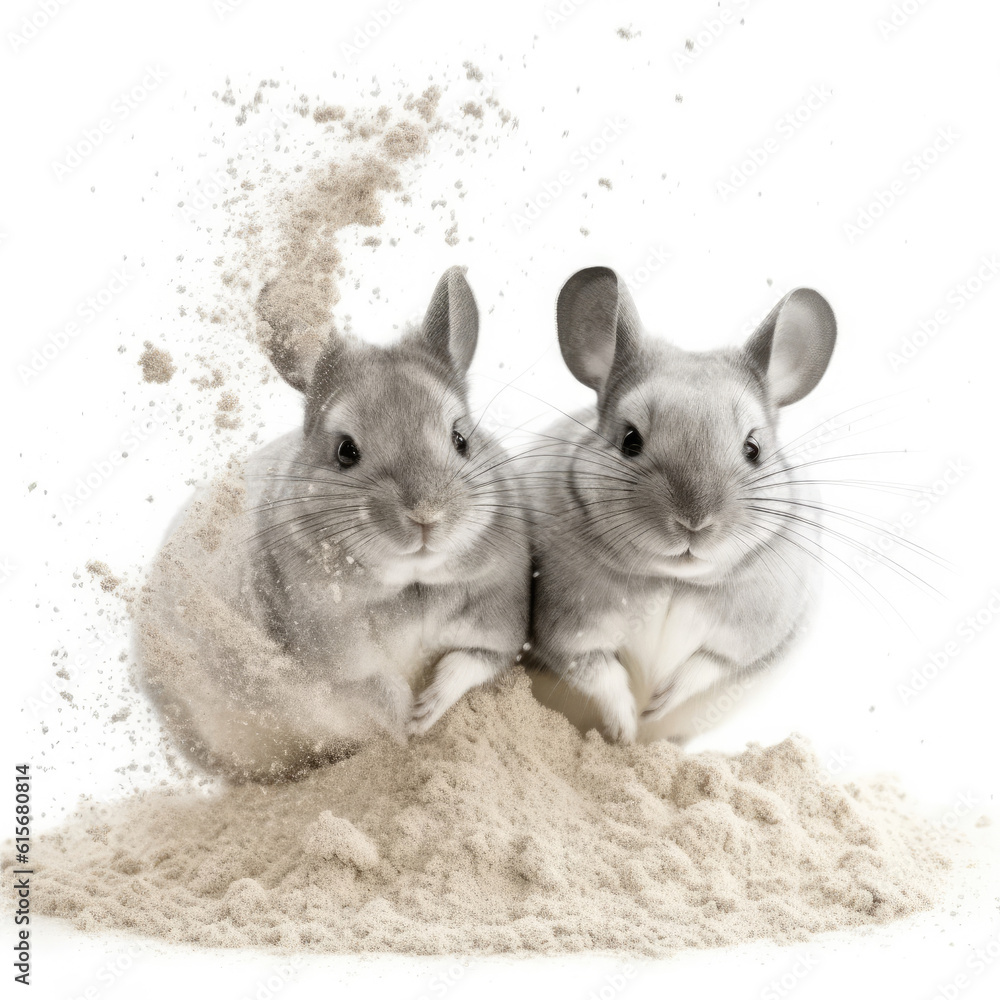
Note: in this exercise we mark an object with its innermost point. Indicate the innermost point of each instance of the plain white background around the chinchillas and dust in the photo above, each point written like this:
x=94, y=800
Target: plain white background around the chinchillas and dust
x=892, y=91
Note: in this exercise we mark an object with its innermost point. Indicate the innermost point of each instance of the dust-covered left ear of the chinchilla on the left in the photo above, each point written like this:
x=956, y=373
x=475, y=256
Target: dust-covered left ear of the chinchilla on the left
x=291, y=341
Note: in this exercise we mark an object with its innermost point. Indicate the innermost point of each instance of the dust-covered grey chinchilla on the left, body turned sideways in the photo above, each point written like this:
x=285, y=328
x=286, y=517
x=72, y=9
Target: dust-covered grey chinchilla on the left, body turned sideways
x=376, y=552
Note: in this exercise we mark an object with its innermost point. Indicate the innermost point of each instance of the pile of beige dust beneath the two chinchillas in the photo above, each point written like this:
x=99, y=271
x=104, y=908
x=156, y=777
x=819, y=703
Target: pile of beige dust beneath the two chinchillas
x=503, y=830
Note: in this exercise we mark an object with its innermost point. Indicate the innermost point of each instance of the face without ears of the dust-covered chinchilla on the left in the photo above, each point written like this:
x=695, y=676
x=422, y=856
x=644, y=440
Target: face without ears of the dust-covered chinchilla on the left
x=399, y=468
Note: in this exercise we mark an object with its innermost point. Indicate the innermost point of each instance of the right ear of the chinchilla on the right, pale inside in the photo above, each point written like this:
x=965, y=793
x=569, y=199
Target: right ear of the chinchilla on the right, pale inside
x=792, y=347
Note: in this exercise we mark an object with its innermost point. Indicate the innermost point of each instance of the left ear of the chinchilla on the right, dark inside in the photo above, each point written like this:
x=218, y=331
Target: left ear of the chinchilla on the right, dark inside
x=598, y=326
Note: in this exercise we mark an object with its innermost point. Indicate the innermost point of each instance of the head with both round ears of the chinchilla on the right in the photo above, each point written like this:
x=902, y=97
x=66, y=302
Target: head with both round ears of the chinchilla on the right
x=685, y=477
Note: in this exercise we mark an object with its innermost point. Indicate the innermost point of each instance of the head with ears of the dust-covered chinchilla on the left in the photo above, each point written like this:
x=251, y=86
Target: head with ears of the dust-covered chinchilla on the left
x=391, y=472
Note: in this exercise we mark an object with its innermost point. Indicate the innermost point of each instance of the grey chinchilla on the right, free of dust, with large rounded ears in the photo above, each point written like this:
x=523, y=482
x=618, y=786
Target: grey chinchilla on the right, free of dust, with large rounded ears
x=671, y=554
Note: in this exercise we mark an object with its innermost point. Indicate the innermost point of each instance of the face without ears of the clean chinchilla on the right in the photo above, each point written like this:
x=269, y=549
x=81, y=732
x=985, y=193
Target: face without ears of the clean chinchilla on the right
x=686, y=445
